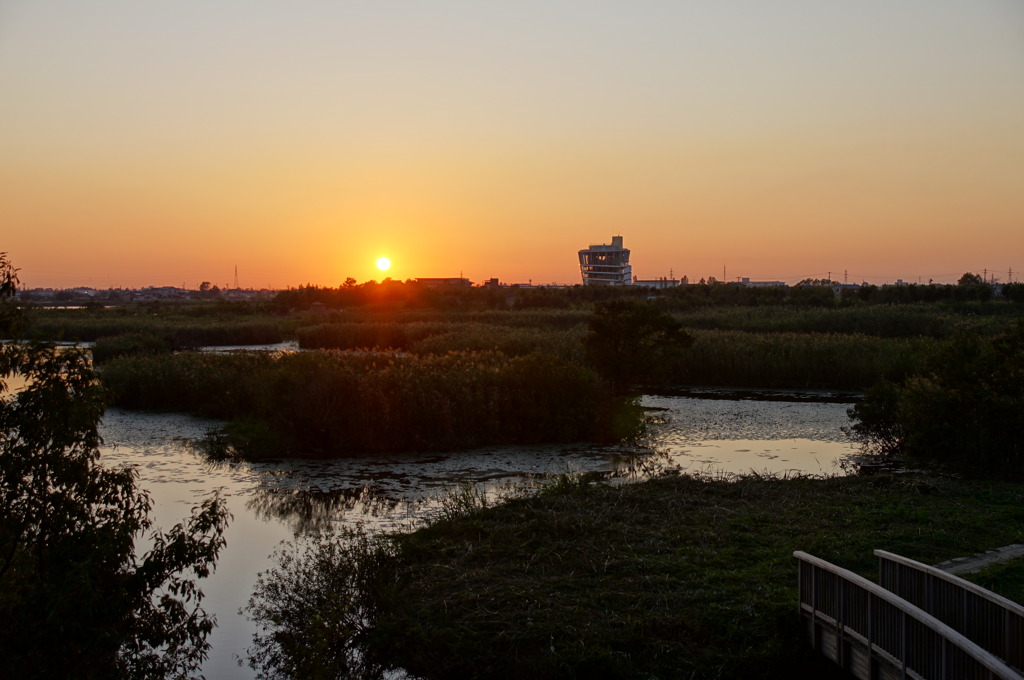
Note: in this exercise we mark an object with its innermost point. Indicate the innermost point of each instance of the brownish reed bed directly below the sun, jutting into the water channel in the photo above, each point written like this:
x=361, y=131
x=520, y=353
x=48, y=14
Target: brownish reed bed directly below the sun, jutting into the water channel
x=334, y=404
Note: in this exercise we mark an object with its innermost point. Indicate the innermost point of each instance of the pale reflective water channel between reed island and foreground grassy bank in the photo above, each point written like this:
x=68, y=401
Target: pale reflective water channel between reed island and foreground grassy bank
x=279, y=501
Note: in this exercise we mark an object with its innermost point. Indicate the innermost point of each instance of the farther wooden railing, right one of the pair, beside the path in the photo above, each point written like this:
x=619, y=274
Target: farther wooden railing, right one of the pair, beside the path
x=994, y=622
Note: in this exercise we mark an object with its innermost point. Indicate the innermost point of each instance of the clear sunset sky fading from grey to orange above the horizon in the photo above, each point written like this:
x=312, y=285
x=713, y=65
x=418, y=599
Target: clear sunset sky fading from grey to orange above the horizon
x=167, y=143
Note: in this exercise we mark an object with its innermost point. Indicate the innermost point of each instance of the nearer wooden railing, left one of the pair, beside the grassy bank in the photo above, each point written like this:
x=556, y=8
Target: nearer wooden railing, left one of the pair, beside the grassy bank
x=874, y=633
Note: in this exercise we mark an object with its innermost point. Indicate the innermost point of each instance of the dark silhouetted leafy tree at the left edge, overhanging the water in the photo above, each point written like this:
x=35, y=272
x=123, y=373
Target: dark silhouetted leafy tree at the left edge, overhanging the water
x=78, y=599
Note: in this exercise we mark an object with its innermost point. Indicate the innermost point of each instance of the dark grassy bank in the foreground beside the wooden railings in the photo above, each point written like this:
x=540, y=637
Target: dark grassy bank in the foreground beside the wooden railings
x=673, y=578
